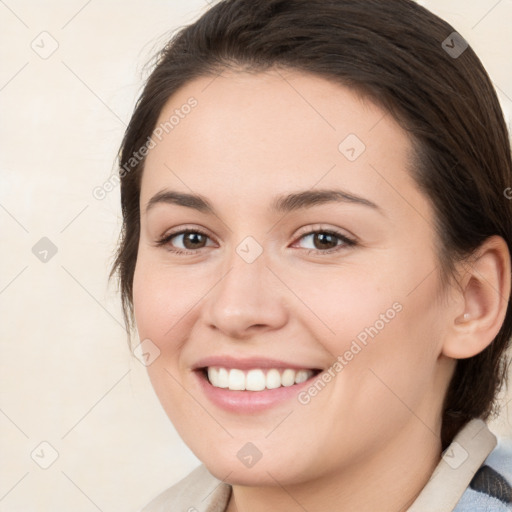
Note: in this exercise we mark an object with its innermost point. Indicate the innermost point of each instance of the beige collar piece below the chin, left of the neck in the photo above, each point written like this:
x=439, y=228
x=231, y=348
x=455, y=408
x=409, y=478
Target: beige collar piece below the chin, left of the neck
x=199, y=491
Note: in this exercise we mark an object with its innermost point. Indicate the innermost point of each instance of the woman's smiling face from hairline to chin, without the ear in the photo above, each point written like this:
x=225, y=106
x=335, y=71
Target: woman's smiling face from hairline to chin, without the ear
x=308, y=248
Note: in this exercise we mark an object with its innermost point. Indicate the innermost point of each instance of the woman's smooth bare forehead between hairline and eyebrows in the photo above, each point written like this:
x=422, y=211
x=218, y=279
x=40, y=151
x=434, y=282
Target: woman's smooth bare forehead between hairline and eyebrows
x=251, y=135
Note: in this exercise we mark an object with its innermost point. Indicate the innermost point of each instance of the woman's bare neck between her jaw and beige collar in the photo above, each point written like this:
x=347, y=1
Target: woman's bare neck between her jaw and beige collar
x=386, y=481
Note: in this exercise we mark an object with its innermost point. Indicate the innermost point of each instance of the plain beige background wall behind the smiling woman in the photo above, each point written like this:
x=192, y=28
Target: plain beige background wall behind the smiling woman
x=67, y=376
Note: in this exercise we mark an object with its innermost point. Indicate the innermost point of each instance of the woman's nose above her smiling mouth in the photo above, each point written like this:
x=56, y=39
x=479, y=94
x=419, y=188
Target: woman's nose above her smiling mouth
x=246, y=301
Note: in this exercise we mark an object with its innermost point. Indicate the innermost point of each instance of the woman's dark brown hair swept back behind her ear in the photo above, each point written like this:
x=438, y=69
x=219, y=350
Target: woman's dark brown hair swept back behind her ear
x=393, y=53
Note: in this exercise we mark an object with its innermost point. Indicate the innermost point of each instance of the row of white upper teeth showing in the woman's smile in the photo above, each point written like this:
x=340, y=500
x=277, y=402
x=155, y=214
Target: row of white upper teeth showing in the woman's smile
x=256, y=379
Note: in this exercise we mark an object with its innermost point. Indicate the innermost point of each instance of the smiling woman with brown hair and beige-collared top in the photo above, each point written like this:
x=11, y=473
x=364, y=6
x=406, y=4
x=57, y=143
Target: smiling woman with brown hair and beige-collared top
x=316, y=256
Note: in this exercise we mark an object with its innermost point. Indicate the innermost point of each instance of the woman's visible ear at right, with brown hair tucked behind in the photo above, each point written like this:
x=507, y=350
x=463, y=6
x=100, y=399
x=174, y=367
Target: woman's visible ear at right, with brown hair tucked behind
x=482, y=301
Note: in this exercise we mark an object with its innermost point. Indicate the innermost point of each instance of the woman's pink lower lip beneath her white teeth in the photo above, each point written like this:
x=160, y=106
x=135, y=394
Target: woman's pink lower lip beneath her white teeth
x=250, y=401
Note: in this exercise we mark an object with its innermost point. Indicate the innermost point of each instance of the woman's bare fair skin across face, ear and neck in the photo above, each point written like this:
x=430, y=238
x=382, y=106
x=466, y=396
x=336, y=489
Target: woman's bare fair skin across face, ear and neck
x=253, y=137
